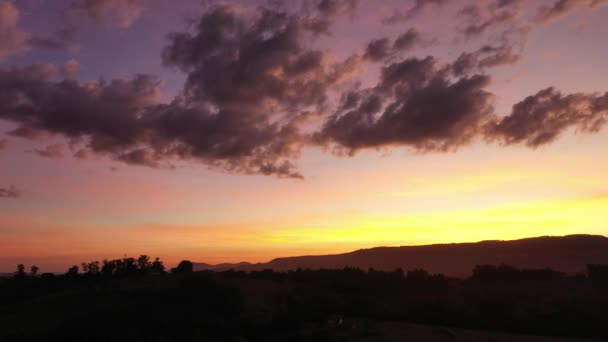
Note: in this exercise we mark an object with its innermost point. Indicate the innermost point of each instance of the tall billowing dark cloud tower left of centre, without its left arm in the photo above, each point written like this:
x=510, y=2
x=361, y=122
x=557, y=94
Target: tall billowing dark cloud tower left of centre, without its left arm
x=260, y=79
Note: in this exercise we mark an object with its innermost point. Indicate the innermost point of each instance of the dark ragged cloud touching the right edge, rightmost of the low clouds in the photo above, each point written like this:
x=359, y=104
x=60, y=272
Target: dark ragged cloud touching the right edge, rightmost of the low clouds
x=542, y=117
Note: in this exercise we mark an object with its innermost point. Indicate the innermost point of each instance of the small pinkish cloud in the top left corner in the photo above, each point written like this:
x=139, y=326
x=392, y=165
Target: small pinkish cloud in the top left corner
x=12, y=40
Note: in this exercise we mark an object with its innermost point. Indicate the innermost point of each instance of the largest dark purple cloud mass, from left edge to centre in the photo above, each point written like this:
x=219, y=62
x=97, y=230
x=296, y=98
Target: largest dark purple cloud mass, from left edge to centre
x=251, y=84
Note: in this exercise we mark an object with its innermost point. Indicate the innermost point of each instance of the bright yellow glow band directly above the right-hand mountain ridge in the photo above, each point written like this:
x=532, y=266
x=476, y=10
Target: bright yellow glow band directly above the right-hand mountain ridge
x=553, y=217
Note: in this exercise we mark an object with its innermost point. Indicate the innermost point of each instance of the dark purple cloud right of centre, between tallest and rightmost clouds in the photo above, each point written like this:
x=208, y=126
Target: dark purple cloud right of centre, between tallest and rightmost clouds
x=414, y=104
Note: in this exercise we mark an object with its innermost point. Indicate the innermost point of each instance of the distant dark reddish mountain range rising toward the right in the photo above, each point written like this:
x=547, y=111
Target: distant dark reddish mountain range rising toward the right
x=569, y=254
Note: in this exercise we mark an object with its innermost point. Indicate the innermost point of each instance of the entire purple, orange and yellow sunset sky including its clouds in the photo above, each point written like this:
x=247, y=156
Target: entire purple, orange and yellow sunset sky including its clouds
x=243, y=131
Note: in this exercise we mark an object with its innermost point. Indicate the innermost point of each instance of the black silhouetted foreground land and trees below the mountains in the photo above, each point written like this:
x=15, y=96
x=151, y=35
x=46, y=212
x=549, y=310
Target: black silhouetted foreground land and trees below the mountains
x=136, y=299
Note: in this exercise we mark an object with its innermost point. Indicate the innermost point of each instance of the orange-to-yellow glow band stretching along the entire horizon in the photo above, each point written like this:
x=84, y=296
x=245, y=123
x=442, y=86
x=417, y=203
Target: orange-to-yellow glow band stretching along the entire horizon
x=329, y=233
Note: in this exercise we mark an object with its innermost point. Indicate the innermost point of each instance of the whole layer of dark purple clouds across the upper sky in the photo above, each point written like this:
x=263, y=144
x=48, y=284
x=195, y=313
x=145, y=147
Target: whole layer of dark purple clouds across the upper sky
x=258, y=91
